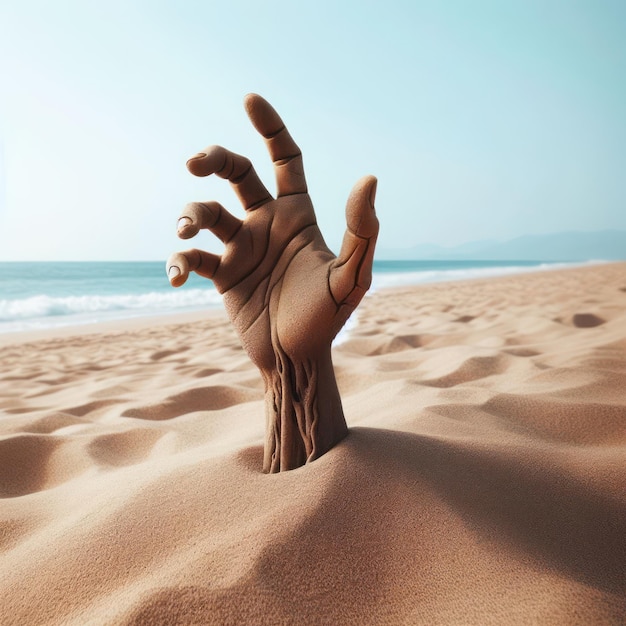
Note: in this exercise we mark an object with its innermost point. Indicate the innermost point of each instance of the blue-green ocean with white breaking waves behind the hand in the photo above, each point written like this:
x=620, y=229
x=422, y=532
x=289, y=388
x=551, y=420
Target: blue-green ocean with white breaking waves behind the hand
x=36, y=295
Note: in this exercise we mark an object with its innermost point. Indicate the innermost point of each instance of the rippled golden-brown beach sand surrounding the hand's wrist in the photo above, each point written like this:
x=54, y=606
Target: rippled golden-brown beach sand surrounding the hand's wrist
x=483, y=480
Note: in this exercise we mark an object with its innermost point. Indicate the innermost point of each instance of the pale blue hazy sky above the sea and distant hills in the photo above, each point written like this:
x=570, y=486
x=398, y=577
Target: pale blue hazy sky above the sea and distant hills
x=481, y=119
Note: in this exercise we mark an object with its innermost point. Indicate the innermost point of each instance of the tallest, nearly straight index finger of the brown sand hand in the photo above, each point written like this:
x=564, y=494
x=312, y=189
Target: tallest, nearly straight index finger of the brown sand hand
x=284, y=151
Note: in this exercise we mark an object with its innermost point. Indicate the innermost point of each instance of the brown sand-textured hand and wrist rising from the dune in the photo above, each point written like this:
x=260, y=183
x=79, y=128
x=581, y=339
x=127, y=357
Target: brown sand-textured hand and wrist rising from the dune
x=286, y=293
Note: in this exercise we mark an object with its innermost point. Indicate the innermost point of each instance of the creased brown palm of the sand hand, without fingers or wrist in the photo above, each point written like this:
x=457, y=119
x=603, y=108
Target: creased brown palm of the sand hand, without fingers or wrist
x=265, y=293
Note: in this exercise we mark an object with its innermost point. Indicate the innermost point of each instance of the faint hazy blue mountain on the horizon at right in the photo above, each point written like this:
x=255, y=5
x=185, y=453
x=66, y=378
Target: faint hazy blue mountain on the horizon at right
x=608, y=245
